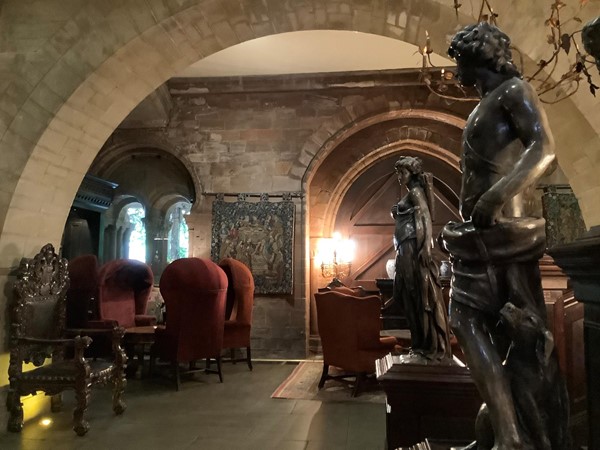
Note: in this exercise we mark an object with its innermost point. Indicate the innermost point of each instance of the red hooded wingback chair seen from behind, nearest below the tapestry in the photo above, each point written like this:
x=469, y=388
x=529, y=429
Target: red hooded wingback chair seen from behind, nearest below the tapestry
x=194, y=291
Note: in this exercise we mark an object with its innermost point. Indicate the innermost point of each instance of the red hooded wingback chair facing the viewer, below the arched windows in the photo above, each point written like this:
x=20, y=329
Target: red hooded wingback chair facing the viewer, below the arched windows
x=124, y=289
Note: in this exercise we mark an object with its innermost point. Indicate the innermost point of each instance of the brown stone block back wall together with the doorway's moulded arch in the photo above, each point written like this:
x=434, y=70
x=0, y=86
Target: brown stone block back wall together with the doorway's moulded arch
x=268, y=135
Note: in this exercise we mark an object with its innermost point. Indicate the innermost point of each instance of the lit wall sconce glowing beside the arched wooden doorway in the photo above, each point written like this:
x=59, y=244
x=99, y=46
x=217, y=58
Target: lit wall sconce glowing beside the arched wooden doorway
x=335, y=256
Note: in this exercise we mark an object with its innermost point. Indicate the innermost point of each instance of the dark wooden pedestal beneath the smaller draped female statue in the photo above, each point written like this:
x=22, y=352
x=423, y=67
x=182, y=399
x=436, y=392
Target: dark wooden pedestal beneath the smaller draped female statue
x=437, y=402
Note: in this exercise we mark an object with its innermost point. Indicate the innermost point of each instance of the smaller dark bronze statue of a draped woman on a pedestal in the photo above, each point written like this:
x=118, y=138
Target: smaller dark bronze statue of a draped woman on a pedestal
x=416, y=282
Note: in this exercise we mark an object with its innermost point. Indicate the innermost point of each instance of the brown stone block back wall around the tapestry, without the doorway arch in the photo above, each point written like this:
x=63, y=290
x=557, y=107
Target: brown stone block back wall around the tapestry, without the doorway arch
x=260, y=134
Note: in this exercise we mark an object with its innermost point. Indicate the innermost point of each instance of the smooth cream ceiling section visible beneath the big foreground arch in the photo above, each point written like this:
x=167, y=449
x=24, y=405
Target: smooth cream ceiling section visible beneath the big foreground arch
x=312, y=51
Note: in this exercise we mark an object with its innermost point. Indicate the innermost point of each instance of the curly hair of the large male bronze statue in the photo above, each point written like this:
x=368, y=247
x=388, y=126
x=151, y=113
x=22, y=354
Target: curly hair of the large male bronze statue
x=484, y=45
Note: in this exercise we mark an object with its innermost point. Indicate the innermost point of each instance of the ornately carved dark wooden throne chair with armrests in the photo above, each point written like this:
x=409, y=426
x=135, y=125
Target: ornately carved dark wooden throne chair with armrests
x=37, y=332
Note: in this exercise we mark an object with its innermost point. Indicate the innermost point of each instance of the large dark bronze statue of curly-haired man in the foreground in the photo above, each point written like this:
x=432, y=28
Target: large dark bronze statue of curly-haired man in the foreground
x=507, y=147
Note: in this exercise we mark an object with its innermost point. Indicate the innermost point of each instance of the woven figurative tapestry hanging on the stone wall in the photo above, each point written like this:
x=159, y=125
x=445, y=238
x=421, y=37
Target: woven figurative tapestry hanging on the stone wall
x=261, y=235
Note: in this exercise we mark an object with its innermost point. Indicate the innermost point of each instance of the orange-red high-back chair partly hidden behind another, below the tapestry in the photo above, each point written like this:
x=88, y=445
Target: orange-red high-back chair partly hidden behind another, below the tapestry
x=240, y=299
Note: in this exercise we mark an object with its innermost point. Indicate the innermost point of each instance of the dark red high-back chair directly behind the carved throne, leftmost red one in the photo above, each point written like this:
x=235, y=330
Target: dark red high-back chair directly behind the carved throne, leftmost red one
x=82, y=296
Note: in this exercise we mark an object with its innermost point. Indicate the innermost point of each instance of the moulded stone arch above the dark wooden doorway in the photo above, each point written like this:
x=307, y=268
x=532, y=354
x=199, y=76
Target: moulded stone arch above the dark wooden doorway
x=323, y=203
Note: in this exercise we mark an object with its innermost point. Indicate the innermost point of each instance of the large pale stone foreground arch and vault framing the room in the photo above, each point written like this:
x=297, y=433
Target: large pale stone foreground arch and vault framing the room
x=73, y=71
